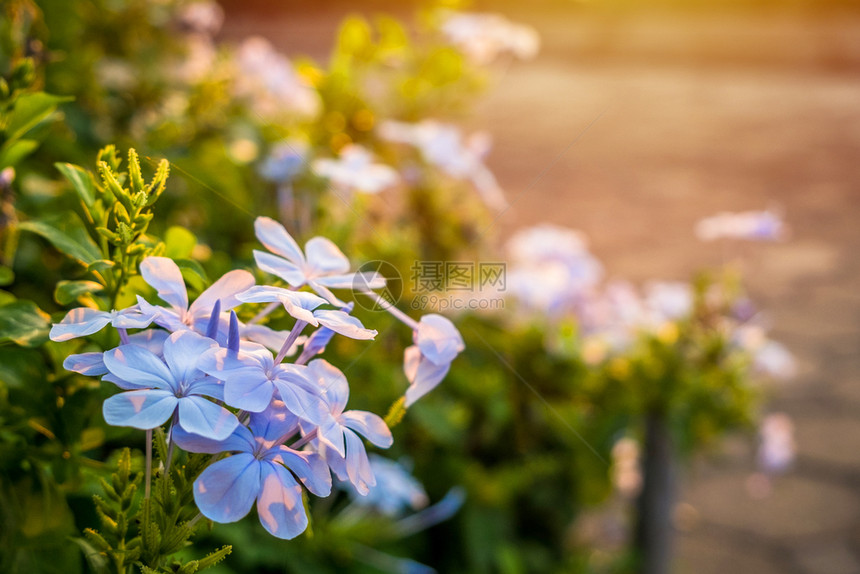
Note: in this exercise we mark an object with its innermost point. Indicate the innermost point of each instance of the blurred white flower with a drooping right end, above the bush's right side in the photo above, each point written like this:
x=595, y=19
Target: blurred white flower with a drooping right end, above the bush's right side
x=443, y=146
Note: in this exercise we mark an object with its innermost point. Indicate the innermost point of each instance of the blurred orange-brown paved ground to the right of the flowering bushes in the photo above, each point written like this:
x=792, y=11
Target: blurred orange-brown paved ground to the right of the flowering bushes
x=633, y=128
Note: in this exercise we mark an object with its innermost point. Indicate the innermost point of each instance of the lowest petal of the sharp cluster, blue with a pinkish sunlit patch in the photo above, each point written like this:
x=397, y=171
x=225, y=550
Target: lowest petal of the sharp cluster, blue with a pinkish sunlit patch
x=279, y=503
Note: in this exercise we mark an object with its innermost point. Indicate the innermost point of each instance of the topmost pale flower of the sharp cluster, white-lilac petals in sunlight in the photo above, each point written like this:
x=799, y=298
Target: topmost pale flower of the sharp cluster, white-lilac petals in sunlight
x=322, y=266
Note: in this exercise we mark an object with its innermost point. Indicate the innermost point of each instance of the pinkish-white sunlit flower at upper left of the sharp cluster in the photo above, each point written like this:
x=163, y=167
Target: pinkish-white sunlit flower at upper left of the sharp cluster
x=164, y=275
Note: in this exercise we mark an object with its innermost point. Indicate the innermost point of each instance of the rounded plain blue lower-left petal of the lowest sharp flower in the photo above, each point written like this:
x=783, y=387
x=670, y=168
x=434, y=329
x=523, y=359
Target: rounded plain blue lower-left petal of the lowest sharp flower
x=225, y=491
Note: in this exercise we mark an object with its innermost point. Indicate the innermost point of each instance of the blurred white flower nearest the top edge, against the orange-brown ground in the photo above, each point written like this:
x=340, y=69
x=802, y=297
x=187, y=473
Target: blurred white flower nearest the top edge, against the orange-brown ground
x=483, y=37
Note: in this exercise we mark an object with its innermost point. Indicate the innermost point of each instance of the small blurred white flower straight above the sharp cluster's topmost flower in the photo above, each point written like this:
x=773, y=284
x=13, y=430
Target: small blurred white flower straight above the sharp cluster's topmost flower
x=355, y=170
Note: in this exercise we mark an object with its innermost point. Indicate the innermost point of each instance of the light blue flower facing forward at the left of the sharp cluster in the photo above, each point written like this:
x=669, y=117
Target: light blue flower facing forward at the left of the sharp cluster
x=161, y=388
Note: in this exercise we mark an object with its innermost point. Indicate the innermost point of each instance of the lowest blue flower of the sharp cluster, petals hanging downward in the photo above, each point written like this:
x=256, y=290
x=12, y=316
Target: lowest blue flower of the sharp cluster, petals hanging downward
x=262, y=470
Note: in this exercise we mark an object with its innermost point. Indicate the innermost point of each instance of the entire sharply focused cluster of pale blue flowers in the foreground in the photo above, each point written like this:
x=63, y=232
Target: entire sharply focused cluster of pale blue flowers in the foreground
x=223, y=386
